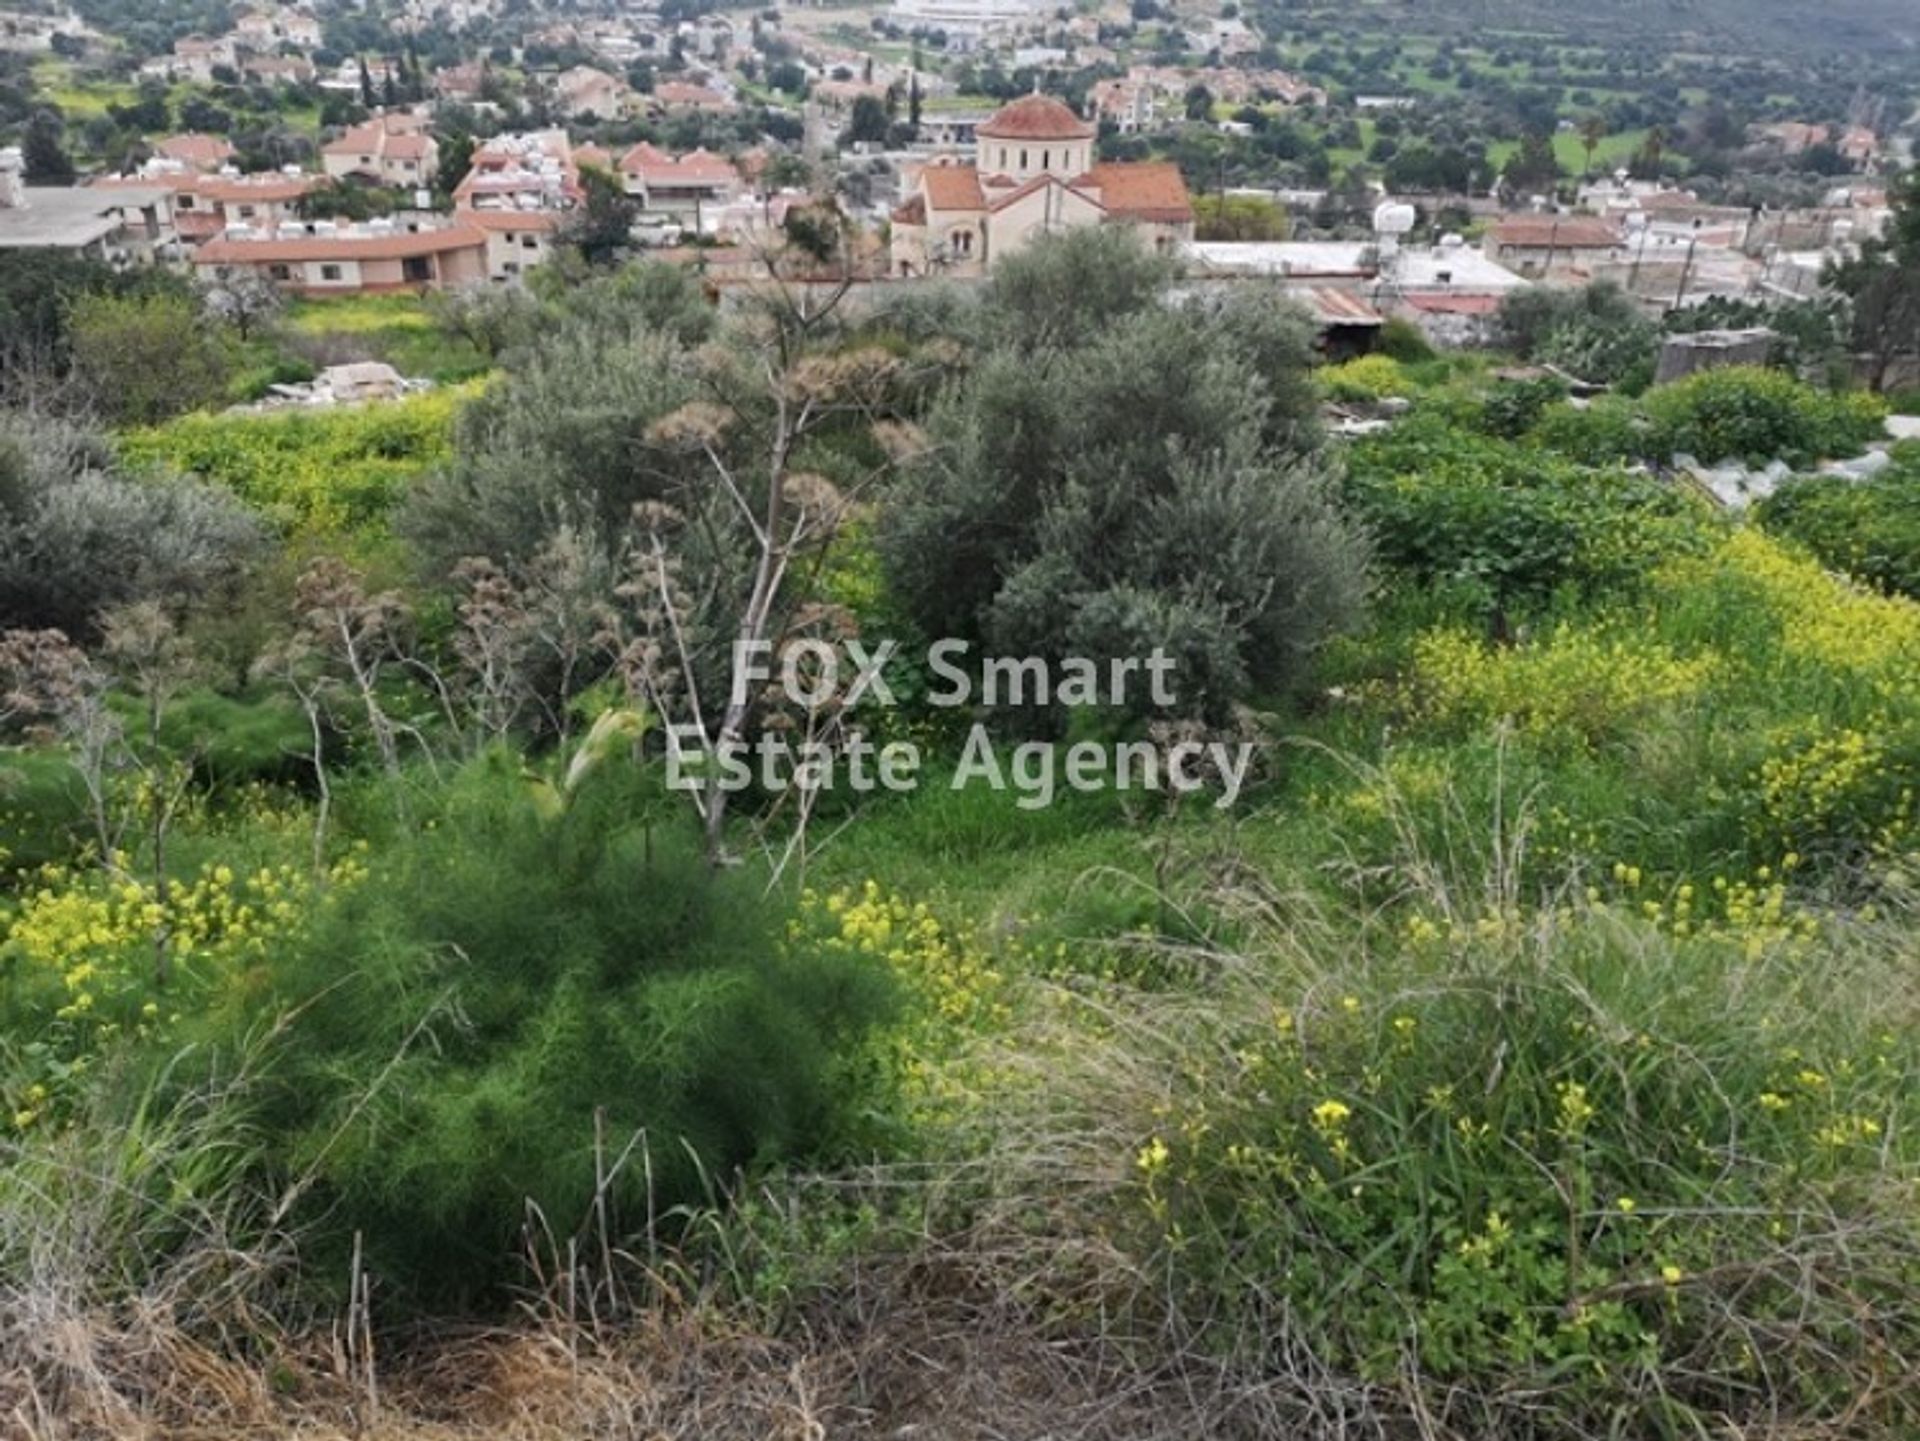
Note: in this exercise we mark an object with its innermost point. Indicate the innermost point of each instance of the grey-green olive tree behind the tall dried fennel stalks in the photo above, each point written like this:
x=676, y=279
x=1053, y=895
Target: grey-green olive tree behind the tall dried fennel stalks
x=700, y=467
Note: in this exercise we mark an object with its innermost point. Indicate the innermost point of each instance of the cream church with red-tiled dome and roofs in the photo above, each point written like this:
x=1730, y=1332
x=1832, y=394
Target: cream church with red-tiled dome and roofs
x=1034, y=174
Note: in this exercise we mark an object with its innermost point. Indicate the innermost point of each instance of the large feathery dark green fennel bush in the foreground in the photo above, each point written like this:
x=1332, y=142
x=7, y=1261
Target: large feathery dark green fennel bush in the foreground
x=464, y=1018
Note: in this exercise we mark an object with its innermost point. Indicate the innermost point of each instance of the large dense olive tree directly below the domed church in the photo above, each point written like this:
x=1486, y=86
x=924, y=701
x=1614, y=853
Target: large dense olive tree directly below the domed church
x=1141, y=475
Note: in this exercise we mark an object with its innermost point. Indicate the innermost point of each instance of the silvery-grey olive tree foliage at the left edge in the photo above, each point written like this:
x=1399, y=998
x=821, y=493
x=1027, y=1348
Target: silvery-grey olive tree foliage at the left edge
x=80, y=536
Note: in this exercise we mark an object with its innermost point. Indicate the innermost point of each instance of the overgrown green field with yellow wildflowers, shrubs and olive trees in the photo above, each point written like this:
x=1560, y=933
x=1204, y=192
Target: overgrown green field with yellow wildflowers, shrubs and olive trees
x=387, y=1049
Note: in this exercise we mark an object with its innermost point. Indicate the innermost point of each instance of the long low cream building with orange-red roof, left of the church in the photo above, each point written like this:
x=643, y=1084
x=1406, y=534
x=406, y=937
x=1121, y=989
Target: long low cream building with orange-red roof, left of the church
x=324, y=258
